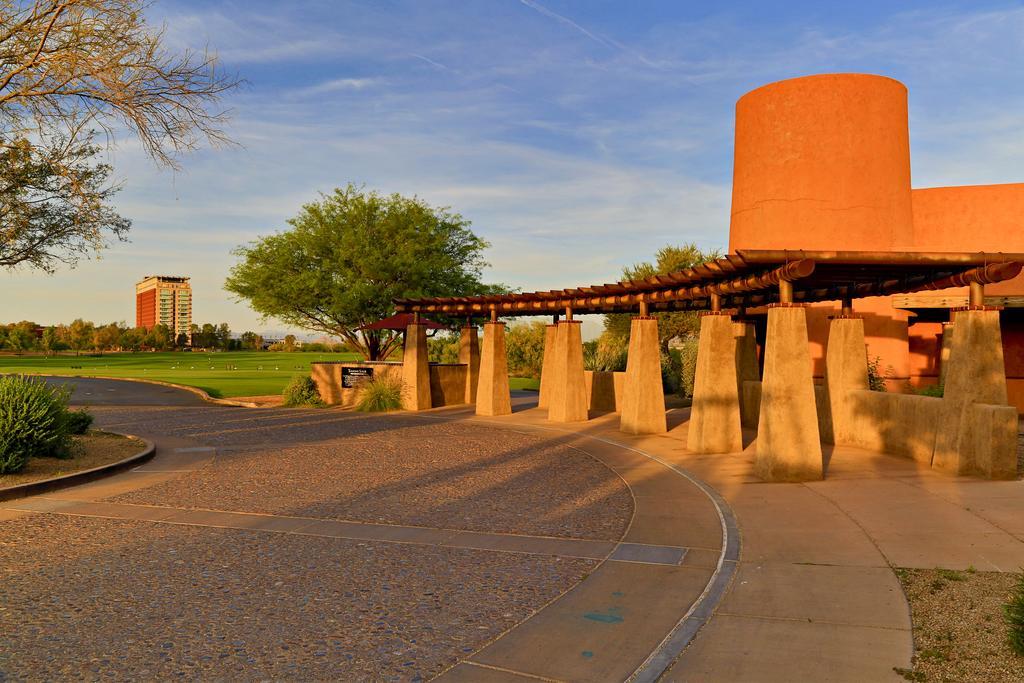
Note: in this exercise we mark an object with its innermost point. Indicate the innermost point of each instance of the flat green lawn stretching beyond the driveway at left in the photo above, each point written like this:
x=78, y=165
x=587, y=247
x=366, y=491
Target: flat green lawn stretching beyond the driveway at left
x=223, y=375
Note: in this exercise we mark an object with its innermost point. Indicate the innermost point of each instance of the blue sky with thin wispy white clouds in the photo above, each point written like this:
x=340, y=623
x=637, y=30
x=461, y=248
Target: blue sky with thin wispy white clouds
x=578, y=137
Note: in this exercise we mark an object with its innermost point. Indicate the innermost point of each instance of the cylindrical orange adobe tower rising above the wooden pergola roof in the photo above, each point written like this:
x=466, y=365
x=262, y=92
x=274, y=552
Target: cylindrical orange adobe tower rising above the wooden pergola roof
x=823, y=163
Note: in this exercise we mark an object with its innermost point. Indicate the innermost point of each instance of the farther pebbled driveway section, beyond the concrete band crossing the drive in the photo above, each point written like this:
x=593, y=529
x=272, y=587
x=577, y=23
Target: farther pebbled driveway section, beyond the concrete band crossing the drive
x=392, y=471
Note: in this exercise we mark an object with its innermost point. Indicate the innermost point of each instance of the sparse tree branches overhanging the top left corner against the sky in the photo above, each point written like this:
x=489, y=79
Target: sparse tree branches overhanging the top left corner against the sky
x=68, y=69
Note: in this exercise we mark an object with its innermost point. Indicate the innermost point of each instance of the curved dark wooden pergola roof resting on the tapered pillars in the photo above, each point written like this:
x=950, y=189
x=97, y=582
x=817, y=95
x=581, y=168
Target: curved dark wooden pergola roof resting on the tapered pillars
x=748, y=279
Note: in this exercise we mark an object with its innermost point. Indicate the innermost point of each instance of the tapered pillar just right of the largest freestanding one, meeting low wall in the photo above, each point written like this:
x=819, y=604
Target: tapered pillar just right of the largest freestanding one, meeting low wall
x=846, y=371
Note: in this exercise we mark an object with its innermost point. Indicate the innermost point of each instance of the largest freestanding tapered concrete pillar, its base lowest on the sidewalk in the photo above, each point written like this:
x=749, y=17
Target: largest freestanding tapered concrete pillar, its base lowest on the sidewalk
x=789, y=447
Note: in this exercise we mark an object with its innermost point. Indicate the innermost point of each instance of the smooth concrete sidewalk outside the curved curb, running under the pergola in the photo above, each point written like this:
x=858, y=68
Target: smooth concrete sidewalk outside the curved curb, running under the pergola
x=816, y=597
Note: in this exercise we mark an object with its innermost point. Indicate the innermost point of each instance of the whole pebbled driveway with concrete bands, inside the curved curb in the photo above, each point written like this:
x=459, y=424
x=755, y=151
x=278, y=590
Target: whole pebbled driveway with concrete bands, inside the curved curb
x=653, y=569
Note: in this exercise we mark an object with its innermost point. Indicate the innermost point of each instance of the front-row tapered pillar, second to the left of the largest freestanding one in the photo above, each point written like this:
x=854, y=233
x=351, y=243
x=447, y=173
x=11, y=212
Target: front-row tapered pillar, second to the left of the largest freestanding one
x=644, y=398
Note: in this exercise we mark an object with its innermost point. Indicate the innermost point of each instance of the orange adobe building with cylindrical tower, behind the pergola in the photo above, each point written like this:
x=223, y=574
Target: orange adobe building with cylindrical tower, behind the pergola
x=824, y=163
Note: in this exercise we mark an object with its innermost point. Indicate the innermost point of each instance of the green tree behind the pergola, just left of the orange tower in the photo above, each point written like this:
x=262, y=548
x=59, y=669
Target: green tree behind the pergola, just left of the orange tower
x=670, y=325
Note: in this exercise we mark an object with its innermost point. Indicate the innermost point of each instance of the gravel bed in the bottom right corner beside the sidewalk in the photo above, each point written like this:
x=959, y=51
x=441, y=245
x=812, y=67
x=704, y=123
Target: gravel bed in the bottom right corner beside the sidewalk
x=959, y=631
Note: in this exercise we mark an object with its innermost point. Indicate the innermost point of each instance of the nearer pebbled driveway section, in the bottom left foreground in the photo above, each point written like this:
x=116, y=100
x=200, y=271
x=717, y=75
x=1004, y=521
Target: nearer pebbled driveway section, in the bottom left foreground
x=96, y=599
